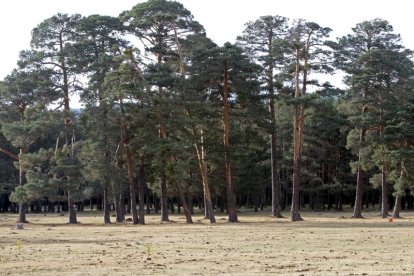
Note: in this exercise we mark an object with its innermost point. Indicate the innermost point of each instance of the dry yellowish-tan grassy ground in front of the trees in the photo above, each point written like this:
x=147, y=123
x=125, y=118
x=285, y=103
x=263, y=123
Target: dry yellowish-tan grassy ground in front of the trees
x=324, y=243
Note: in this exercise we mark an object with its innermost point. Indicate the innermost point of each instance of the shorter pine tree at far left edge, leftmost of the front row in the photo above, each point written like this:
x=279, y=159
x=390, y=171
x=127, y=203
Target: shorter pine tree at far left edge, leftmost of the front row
x=25, y=94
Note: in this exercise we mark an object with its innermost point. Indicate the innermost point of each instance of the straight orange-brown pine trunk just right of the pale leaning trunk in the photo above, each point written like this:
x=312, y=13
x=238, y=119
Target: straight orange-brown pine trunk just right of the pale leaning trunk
x=231, y=201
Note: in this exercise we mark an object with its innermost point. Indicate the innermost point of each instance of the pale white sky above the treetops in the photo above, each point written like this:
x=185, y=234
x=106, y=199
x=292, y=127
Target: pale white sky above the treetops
x=222, y=19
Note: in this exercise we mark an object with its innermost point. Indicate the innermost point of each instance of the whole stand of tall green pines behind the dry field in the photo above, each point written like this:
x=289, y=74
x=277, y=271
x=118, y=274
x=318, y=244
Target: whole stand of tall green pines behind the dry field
x=170, y=119
